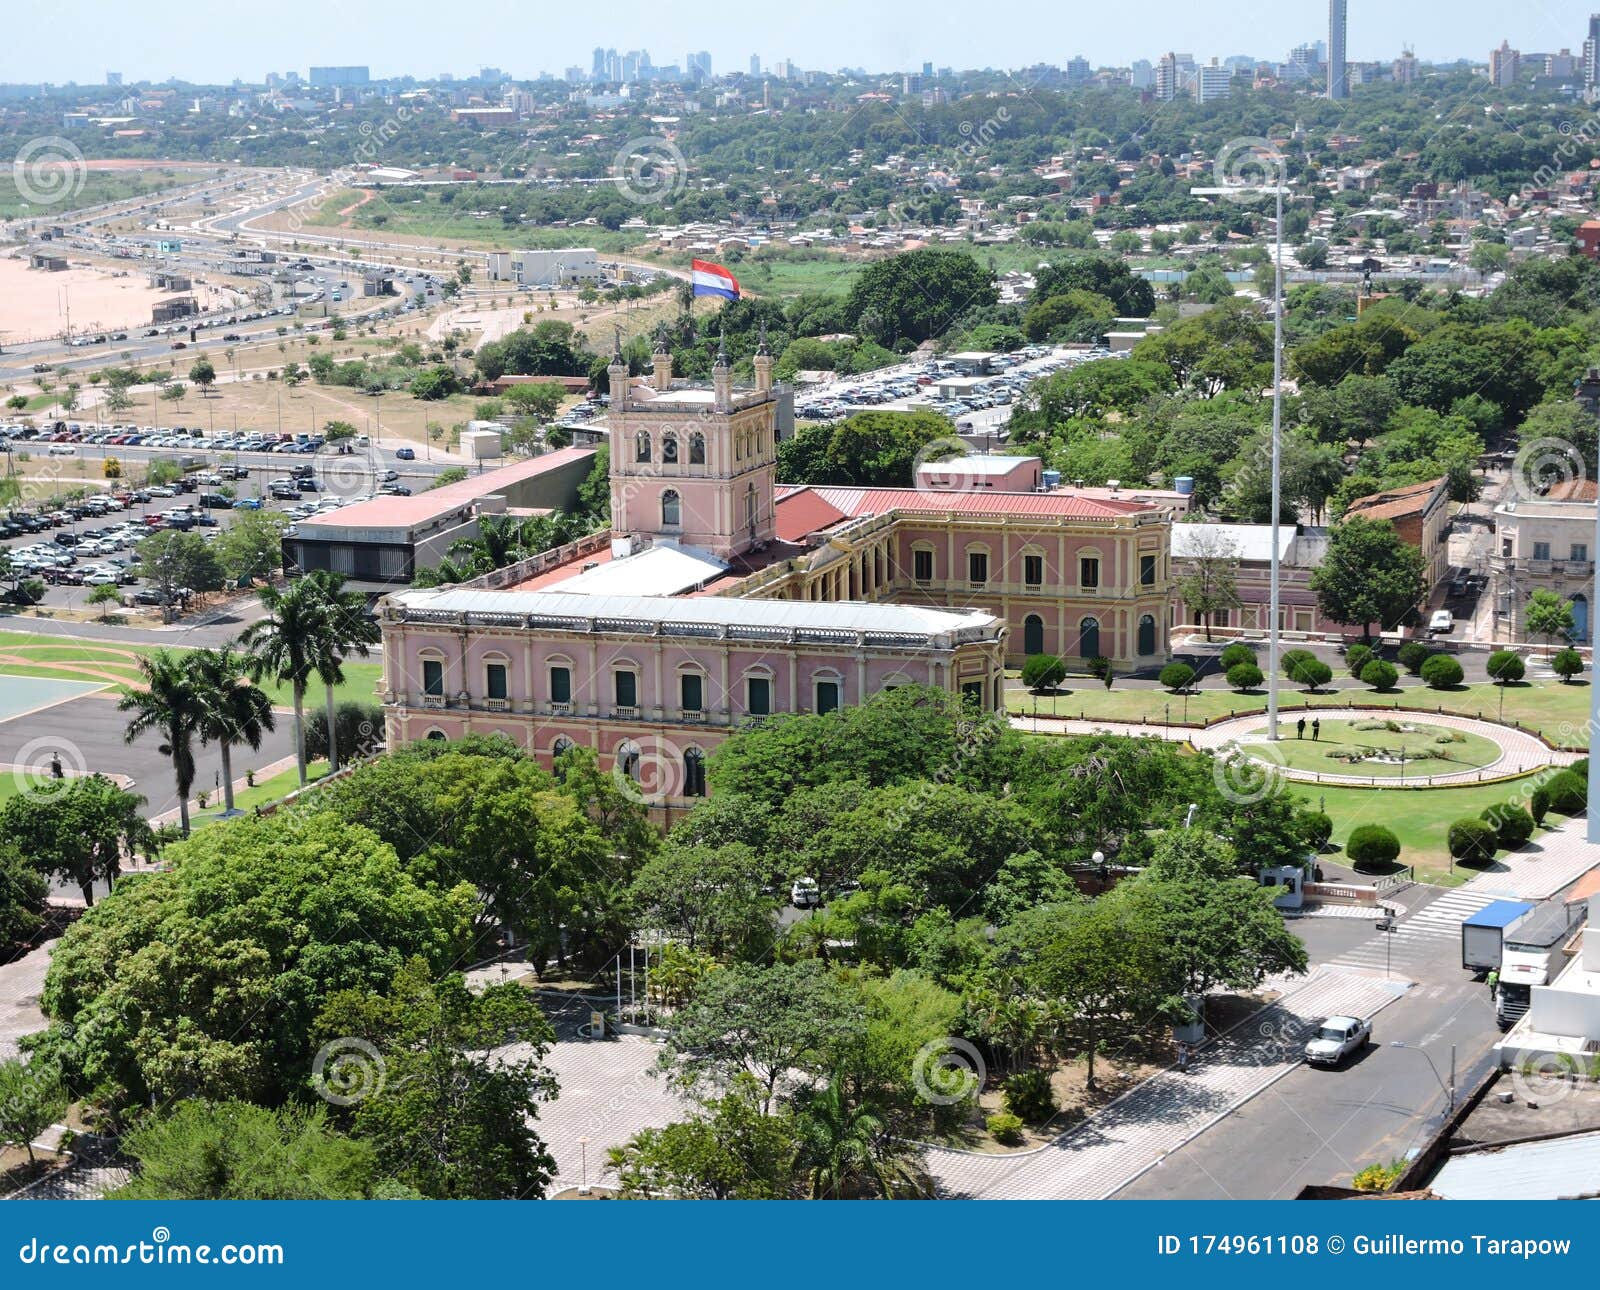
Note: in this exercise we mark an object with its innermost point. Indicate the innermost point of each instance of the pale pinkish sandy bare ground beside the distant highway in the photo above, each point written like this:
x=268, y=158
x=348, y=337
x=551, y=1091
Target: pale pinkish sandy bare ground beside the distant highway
x=36, y=305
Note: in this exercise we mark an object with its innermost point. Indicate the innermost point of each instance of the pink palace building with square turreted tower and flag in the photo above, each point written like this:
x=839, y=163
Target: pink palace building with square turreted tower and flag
x=721, y=596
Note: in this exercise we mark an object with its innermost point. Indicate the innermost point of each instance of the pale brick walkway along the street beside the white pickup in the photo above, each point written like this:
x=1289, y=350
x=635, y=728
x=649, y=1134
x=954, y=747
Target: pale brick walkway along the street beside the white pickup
x=1148, y=1123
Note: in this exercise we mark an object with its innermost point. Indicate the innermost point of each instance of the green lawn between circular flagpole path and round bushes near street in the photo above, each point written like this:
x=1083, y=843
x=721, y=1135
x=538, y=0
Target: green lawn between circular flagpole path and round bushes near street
x=1420, y=819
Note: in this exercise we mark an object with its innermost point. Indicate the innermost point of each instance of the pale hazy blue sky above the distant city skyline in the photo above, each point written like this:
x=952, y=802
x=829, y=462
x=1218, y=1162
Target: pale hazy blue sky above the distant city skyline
x=60, y=41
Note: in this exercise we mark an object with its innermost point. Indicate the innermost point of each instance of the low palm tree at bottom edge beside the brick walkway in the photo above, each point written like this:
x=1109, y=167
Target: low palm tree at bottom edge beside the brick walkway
x=849, y=1153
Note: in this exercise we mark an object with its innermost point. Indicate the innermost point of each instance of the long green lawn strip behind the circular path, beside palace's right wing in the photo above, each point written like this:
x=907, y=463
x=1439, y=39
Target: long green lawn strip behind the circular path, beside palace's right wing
x=1554, y=710
